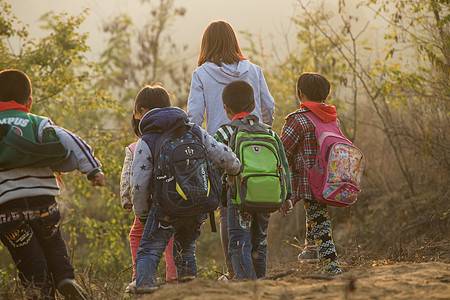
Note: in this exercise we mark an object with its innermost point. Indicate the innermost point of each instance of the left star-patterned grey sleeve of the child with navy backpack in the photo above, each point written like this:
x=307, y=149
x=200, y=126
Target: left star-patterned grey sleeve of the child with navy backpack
x=141, y=172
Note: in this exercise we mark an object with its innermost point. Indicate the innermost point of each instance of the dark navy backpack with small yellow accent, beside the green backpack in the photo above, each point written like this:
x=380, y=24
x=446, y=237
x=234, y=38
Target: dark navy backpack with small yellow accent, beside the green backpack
x=184, y=180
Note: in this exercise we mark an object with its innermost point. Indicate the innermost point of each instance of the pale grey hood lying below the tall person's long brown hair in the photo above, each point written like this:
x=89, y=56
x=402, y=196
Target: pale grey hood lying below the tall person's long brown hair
x=227, y=73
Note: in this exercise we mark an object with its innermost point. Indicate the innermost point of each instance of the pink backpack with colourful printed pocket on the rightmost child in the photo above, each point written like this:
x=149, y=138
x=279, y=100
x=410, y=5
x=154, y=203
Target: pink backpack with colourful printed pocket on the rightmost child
x=336, y=175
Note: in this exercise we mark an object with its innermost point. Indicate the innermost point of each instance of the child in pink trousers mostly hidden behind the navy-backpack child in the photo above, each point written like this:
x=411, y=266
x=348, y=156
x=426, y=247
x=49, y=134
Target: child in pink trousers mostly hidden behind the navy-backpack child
x=138, y=228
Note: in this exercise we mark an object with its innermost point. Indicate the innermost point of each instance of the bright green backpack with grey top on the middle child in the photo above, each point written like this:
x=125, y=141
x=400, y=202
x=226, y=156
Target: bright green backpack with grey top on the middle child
x=263, y=187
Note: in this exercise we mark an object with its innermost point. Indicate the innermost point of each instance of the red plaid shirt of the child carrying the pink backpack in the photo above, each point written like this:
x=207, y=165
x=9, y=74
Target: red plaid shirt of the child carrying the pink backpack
x=298, y=134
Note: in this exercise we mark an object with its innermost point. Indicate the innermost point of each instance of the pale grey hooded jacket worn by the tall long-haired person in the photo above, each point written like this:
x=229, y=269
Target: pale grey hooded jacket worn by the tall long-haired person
x=208, y=82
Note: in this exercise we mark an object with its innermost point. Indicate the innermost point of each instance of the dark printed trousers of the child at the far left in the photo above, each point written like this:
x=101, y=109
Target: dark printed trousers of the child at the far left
x=29, y=228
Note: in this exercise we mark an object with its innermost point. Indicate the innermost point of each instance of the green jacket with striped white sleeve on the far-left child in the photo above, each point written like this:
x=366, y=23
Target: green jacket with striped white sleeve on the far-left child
x=29, y=145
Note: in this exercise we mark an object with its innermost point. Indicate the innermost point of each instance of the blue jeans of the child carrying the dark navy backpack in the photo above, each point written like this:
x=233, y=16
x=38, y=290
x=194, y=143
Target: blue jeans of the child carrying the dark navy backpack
x=158, y=230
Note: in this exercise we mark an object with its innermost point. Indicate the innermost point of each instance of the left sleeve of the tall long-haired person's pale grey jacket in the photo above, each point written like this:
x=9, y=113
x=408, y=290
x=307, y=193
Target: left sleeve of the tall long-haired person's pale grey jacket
x=196, y=101
